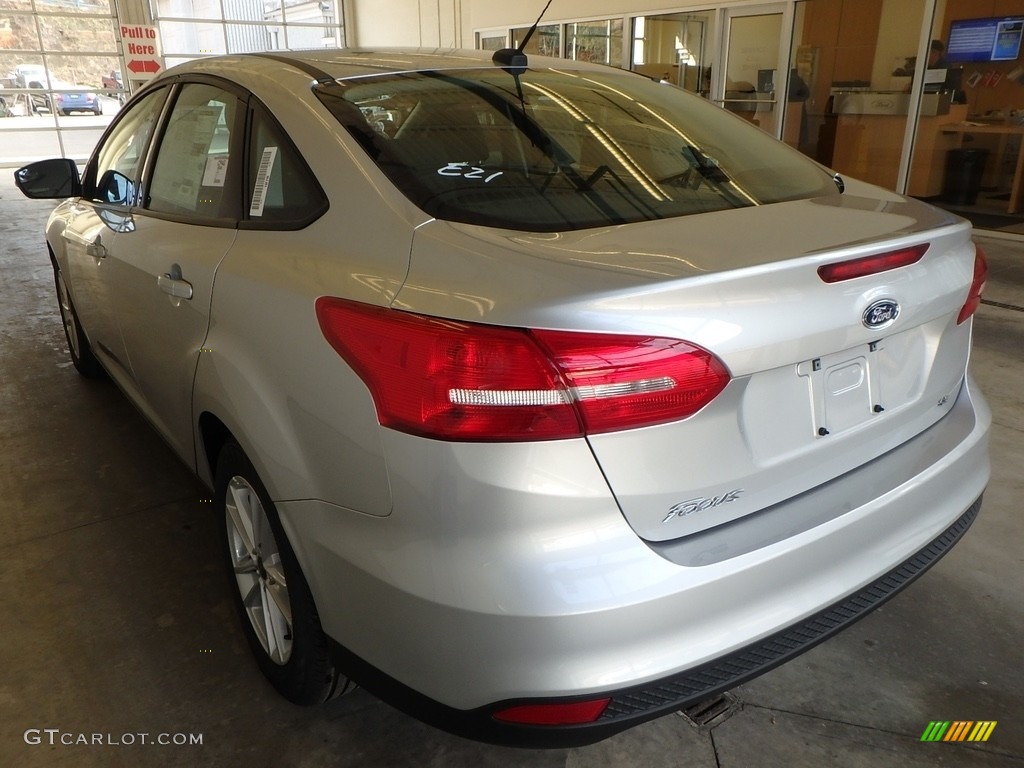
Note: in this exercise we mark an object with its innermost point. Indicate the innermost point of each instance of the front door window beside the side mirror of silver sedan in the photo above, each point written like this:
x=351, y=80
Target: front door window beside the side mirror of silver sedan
x=113, y=177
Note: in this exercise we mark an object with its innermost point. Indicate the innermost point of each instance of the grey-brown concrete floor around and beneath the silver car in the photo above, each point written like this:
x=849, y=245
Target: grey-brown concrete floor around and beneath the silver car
x=115, y=617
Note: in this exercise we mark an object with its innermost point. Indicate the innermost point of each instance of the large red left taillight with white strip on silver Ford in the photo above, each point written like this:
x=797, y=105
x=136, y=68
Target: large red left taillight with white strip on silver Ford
x=463, y=381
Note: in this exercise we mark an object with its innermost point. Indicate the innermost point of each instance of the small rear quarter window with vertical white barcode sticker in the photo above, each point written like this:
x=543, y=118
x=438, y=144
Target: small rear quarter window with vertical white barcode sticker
x=281, y=191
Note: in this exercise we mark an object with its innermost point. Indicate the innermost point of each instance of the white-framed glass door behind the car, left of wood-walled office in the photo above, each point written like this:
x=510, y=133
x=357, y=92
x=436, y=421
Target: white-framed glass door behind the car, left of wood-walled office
x=754, y=76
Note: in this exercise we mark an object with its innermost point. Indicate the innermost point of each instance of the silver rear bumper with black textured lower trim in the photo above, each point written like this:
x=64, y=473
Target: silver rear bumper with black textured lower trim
x=507, y=576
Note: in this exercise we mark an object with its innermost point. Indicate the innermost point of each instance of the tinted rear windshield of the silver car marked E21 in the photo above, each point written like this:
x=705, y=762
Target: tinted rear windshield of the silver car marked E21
x=579, y=150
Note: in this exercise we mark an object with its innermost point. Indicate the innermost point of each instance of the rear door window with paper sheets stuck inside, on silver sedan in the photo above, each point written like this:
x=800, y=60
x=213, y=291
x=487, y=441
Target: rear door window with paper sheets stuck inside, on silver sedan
x=195, y=174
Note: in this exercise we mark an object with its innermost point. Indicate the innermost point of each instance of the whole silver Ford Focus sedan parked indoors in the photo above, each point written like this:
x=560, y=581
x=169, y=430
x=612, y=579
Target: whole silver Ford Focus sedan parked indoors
x=538, y=398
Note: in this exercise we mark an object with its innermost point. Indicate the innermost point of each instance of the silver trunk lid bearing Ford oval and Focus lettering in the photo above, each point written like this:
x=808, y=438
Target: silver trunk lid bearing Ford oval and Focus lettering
x=816, y=392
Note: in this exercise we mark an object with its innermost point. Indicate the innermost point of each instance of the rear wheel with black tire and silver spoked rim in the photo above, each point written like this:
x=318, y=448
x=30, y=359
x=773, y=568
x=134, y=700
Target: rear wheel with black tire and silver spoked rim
x=274, y=601
